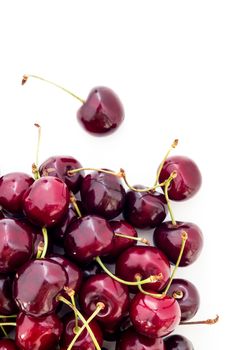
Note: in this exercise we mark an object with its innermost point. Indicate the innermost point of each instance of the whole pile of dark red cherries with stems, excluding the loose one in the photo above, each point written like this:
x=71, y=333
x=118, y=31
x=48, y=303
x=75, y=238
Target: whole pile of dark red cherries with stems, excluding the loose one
x=62, y=234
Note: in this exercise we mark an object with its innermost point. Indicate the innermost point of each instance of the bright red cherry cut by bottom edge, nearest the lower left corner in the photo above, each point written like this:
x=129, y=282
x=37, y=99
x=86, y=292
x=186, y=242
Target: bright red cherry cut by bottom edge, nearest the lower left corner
x=38, y=333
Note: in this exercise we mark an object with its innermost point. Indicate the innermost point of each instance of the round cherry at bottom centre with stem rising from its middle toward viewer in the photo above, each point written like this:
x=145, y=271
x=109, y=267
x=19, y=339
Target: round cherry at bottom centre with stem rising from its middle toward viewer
x=114, y=295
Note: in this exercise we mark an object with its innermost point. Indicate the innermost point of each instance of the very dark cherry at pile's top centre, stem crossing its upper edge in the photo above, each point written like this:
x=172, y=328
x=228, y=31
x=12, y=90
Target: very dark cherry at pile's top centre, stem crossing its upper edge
x=103, y=194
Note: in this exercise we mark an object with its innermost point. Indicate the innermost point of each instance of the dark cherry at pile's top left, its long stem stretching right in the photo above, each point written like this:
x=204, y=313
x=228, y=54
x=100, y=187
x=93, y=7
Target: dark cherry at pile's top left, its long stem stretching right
x=58, y=166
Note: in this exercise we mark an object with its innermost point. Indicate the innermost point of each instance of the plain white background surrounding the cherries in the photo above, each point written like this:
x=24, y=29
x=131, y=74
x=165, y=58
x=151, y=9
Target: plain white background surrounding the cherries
x=171, y=63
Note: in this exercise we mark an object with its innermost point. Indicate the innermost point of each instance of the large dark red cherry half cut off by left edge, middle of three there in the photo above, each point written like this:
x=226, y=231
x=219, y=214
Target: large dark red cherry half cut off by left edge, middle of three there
x=15, y=244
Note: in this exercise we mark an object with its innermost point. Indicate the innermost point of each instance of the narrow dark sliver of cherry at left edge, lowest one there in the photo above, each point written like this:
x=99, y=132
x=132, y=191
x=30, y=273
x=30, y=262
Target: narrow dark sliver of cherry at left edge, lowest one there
x=7, y=304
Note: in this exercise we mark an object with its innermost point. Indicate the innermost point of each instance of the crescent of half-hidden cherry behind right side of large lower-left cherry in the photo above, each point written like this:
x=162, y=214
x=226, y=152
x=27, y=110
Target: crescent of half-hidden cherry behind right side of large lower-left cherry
x=74, y=273
